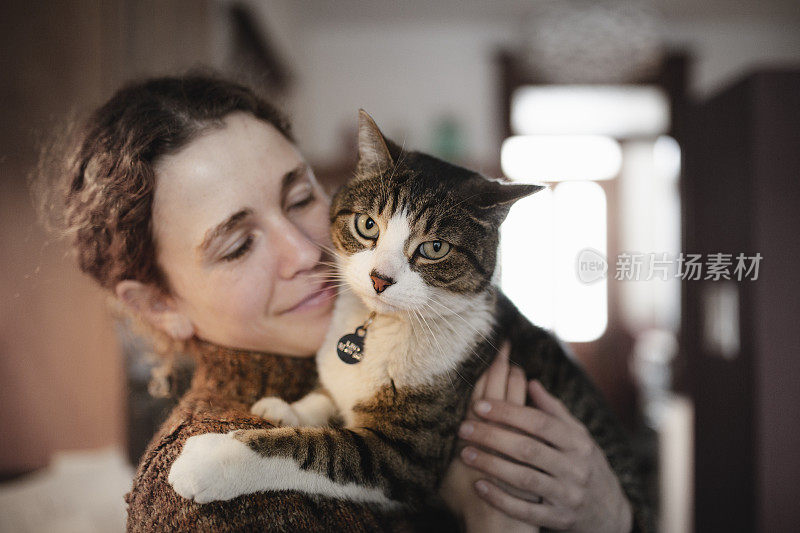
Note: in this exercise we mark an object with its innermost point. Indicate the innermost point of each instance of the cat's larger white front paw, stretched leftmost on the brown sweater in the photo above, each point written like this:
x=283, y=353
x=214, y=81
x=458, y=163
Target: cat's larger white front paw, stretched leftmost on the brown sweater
x=211, y=467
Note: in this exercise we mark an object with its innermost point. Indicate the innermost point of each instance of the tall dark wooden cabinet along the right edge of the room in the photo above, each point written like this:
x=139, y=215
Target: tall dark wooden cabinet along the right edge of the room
x=741, y=193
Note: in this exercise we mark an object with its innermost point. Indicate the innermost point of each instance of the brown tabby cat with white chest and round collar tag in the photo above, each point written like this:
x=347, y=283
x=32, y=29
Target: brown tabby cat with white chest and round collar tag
x=418, y=322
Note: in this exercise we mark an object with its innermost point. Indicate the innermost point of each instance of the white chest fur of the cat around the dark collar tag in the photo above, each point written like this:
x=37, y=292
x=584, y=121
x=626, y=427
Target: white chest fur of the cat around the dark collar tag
x=408, y=349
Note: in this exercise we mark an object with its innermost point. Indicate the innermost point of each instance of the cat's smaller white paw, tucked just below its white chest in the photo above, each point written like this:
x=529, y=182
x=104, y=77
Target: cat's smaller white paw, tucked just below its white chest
x=315, y=409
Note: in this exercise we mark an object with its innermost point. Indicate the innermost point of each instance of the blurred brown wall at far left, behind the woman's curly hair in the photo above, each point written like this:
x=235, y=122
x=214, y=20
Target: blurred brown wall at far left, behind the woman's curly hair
x=61, y=378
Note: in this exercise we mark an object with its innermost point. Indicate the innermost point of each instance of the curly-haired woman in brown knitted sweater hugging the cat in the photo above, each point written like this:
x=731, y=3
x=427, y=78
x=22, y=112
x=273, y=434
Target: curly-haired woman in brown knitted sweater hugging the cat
x=187, y=199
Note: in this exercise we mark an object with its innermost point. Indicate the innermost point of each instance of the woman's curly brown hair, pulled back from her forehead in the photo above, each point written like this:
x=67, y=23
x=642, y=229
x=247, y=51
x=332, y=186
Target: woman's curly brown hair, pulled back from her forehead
x=95, y=186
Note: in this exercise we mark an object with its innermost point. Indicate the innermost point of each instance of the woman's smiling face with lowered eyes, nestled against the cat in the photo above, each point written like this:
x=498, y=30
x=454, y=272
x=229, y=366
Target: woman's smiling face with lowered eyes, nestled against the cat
x=240, y=225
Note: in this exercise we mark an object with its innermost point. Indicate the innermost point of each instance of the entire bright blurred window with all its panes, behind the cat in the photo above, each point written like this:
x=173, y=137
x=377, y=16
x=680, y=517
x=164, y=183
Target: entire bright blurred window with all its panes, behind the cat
x=568, y=135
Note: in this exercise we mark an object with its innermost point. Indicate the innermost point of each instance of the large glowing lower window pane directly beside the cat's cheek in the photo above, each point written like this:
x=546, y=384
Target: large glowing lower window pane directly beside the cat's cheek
x=540, y=243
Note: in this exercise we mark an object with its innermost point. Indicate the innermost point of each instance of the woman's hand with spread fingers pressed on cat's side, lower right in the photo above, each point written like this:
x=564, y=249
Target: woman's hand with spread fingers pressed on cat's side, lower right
x=552, y=455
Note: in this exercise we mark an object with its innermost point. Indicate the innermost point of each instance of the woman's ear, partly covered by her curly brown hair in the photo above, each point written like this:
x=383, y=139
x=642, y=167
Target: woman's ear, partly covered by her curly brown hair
x=157, y=308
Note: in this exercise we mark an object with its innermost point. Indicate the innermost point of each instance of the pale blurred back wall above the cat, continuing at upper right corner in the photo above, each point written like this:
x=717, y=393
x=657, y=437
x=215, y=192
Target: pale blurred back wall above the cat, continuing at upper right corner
x=409, y=63
